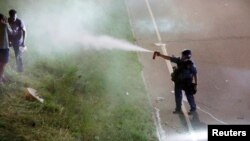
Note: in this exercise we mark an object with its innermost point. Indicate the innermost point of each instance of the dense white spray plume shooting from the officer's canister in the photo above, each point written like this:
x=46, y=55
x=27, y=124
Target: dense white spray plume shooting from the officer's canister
x=74, y=24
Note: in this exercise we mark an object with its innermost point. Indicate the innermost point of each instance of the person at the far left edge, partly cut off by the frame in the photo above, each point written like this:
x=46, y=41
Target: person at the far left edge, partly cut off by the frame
x=4, y=45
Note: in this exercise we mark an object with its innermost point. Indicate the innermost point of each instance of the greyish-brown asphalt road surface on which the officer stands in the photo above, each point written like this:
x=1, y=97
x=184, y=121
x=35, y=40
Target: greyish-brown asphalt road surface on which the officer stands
x=218, y=33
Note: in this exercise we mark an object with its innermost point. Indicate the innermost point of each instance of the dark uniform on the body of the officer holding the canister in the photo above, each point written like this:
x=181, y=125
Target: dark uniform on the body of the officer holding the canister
x=183, y=82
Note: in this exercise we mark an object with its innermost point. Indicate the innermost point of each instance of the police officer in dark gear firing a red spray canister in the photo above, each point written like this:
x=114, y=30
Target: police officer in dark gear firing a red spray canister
x=186, y=79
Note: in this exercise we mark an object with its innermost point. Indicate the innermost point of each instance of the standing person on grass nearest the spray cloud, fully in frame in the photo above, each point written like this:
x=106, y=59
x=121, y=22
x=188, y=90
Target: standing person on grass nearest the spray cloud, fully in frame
x=17, y=38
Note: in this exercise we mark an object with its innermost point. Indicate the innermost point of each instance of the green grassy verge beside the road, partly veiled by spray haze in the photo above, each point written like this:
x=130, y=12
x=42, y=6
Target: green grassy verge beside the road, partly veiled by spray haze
x=85, y=91
